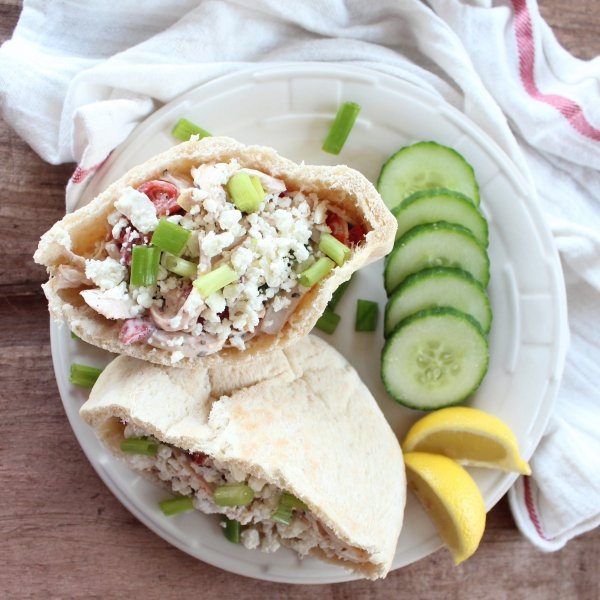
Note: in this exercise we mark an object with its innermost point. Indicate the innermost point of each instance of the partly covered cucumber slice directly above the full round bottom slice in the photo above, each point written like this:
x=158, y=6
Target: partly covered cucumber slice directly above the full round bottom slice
x=438, y=287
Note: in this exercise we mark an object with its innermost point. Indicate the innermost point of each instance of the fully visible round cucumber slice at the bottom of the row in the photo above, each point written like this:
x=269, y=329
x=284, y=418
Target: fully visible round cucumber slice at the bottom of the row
x=434, y=358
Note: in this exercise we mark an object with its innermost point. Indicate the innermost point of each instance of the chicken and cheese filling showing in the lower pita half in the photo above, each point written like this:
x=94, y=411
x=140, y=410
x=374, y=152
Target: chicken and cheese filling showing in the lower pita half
x=268, y=517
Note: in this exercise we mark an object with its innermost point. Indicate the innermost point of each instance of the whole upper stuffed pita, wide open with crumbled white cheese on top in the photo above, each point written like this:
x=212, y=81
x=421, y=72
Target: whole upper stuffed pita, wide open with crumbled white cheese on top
x=211, y=250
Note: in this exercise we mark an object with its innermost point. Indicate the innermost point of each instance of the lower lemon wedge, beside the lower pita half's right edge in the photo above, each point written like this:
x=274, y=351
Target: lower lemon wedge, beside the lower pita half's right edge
x=451, y=498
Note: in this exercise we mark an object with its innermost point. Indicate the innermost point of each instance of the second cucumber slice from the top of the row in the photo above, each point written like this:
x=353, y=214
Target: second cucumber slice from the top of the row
x=431, y=206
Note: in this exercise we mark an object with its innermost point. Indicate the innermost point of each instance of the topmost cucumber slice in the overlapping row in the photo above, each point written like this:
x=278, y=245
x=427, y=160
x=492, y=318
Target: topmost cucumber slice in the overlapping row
x=422, y=166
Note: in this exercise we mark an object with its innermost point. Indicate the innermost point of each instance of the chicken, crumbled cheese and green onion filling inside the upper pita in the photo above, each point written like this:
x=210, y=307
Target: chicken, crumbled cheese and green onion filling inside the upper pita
x=199, y=261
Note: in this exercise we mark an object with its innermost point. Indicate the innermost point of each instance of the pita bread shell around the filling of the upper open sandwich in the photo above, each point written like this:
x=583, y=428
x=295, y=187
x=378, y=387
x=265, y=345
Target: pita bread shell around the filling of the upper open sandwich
x=78, y=235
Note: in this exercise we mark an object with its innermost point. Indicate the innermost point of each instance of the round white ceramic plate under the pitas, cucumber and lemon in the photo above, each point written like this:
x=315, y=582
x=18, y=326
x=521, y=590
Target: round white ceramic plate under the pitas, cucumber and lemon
x=290, y=108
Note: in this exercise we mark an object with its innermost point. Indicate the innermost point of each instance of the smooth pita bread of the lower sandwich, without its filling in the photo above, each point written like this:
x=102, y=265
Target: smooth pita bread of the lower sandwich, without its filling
x=301, y=420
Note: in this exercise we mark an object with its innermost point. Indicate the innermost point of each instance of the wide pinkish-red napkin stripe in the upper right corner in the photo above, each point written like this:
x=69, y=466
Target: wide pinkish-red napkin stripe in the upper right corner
x=526, y=47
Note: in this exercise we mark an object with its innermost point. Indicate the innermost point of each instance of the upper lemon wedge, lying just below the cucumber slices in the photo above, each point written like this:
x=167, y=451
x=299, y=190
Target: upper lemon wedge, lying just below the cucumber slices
x=470, y=436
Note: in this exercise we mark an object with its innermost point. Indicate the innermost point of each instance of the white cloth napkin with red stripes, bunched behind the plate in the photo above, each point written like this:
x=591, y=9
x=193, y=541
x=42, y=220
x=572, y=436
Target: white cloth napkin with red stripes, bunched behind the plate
x=77, y=77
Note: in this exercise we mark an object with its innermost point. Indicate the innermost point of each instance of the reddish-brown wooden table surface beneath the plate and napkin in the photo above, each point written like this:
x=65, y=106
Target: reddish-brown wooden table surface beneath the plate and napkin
x=64, y=535
